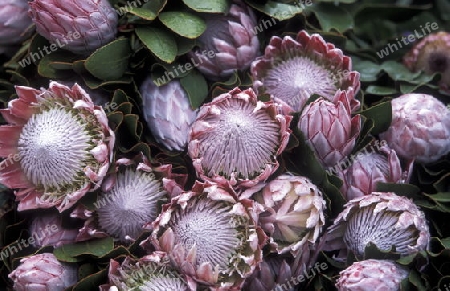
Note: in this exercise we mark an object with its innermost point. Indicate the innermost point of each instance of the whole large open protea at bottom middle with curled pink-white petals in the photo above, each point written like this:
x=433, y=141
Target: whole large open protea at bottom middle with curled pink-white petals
x=210, y=236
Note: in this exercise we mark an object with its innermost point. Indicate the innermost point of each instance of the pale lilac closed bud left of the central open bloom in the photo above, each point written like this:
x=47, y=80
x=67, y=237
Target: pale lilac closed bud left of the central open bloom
x=168, y=113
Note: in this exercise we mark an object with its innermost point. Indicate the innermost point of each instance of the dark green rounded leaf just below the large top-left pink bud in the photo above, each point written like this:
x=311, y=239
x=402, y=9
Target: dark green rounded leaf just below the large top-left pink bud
x=110, y=61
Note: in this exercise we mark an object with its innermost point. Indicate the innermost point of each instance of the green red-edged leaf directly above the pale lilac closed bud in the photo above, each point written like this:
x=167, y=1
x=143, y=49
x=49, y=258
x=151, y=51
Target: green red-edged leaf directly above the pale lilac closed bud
x=160, y=42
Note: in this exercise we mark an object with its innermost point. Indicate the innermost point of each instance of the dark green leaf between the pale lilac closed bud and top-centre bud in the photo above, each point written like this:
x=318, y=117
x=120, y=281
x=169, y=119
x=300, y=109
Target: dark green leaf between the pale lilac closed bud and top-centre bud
x=196, y=87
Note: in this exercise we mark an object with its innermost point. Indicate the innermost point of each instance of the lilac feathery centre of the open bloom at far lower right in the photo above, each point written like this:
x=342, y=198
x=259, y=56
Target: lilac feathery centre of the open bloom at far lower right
x=367, y=226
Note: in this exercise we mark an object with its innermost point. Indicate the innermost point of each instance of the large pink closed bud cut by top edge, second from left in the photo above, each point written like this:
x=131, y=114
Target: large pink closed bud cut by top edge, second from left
x=80, y=26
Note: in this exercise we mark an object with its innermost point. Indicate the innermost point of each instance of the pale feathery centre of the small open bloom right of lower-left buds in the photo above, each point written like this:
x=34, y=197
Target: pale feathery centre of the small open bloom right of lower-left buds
x=134, y=201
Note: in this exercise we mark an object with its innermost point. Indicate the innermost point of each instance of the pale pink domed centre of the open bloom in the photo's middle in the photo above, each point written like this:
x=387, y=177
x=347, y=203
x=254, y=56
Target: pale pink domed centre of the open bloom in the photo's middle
x=243, y=140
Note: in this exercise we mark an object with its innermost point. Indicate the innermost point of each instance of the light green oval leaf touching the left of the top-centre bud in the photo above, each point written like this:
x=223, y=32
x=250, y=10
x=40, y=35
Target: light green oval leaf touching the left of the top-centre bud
x=183, y=23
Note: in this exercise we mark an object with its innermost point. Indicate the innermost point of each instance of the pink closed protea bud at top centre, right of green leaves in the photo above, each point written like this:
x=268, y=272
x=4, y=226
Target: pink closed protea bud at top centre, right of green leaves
x=228, y=43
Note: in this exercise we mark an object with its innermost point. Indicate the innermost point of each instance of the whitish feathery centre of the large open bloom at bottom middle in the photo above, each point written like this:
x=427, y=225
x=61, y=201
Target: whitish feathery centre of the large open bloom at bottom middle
x=211, y=228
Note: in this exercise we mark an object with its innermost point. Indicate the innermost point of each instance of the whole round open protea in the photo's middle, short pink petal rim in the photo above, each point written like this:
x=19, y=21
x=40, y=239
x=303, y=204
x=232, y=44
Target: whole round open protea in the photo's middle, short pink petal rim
x=236, y=139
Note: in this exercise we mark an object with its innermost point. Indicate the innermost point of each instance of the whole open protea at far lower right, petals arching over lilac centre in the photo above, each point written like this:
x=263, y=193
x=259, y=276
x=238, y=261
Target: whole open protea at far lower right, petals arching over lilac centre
x=382, y=218
